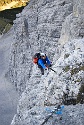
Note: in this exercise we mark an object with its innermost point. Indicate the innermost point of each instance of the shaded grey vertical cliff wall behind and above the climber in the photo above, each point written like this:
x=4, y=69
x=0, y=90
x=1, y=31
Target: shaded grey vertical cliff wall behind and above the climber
x=37, y=28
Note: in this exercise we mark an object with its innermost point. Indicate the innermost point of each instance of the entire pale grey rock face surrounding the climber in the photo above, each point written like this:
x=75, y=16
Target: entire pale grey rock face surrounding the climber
x=56, y=28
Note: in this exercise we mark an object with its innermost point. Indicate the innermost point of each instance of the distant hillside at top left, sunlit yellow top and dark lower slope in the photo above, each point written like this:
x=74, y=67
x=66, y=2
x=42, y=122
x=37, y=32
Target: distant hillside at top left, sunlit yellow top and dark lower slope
x=7, y=16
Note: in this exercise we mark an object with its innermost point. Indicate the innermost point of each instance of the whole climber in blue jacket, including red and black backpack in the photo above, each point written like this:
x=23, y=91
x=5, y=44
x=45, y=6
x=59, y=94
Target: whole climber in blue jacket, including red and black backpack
x=42, y=61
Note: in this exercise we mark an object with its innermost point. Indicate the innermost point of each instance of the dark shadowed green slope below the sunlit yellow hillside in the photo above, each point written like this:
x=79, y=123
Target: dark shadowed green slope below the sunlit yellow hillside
x=7, y=17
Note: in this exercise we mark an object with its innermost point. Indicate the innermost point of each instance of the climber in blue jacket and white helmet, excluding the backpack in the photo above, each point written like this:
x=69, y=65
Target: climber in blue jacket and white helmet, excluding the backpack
x=43, y=63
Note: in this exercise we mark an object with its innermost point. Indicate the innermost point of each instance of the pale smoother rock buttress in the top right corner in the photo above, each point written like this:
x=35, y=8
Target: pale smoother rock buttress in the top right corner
x=74, y=22
